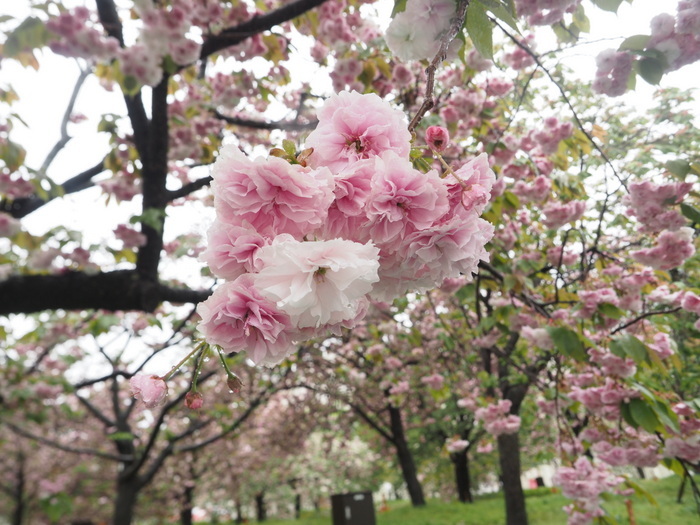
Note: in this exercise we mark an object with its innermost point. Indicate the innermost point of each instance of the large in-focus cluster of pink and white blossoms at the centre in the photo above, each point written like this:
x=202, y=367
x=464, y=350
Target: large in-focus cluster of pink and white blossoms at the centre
x=305, y=246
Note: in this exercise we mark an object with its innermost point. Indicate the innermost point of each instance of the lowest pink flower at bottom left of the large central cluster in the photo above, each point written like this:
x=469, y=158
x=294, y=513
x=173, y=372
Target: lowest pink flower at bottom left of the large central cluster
x=237, y=317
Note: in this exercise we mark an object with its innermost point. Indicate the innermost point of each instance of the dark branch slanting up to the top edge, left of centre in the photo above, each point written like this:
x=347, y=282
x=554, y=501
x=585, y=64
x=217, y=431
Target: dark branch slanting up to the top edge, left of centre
x=258, y=24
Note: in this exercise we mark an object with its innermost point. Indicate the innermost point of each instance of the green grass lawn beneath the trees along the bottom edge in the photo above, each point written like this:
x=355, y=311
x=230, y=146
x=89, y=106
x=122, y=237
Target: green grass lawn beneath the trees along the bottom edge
x=544, y=508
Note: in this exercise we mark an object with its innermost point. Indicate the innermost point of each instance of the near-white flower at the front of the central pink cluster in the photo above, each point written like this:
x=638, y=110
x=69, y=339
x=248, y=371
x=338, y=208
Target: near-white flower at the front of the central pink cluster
x=319, y=282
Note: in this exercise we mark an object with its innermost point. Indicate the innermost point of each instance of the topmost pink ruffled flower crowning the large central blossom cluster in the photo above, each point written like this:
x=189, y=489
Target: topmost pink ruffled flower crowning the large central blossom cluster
x=352, y=127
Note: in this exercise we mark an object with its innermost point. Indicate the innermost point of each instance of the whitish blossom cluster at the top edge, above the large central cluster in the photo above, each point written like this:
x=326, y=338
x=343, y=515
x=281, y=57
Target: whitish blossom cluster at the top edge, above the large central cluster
x=414, y=34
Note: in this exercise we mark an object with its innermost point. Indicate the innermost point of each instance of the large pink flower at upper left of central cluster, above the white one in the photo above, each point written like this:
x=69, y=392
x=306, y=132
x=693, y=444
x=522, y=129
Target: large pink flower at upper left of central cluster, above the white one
x=270, y=195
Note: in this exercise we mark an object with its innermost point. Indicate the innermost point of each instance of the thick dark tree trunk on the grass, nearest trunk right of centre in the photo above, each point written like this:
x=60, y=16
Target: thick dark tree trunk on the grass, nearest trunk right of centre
x=509, y=459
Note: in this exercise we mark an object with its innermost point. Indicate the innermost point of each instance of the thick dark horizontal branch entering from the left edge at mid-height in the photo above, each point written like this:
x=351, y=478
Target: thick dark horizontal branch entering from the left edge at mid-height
x=118, y=290
